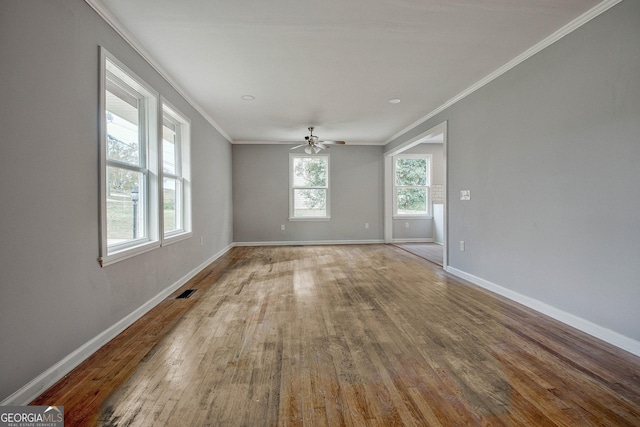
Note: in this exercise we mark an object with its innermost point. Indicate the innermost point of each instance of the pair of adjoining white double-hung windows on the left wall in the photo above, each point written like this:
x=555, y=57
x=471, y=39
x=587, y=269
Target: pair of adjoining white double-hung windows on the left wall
x=144, y=166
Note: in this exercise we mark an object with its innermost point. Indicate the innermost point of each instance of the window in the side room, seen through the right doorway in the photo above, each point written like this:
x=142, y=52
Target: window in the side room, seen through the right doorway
x=412, y=182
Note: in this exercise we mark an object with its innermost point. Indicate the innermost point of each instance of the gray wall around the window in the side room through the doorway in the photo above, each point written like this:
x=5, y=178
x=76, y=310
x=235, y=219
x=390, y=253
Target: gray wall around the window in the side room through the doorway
x=421, y=228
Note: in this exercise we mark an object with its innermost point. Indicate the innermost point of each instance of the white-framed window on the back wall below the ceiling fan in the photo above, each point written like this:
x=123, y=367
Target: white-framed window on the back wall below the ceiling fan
x=309, y=187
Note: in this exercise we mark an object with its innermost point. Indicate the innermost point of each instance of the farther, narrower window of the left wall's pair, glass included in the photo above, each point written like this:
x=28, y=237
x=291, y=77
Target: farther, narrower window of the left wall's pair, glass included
x=175, y=173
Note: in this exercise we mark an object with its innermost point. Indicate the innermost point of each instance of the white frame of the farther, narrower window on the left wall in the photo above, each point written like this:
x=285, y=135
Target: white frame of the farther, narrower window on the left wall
x=182, y=173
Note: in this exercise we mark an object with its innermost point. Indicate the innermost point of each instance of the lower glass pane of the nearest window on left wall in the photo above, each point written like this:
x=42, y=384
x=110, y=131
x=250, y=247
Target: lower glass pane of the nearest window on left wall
x=126, y=209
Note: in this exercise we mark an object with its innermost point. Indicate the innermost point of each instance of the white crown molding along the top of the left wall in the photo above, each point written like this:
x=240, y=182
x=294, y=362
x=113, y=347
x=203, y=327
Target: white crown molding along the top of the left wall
x=137, y=46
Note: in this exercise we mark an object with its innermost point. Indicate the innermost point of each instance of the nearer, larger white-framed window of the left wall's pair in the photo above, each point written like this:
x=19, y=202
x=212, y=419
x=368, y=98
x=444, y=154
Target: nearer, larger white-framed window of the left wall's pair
x=129, y=163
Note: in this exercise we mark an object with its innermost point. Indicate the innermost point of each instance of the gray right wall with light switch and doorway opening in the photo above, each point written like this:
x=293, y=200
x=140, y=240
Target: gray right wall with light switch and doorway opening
x=551, y=154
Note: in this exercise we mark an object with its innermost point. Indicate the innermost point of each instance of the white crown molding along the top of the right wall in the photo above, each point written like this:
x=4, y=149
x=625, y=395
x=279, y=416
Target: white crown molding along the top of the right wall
x=570, y=27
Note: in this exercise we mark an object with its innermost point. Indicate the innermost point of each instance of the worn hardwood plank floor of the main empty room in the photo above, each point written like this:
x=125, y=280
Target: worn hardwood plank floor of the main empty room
x=347, y=335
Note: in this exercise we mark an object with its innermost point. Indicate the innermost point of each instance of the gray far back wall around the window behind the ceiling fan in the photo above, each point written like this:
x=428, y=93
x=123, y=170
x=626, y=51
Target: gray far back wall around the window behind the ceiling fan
x=261, y=195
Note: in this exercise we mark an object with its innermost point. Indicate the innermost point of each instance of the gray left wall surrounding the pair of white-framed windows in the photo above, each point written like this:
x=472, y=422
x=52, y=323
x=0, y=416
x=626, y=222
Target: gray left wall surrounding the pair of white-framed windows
x=54, y=297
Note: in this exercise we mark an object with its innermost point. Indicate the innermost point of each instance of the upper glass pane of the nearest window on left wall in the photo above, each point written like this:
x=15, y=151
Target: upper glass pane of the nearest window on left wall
x=123, y=134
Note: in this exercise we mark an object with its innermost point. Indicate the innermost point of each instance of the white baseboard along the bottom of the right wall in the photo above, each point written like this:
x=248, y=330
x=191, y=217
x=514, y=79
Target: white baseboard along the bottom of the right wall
x=607, y=335
